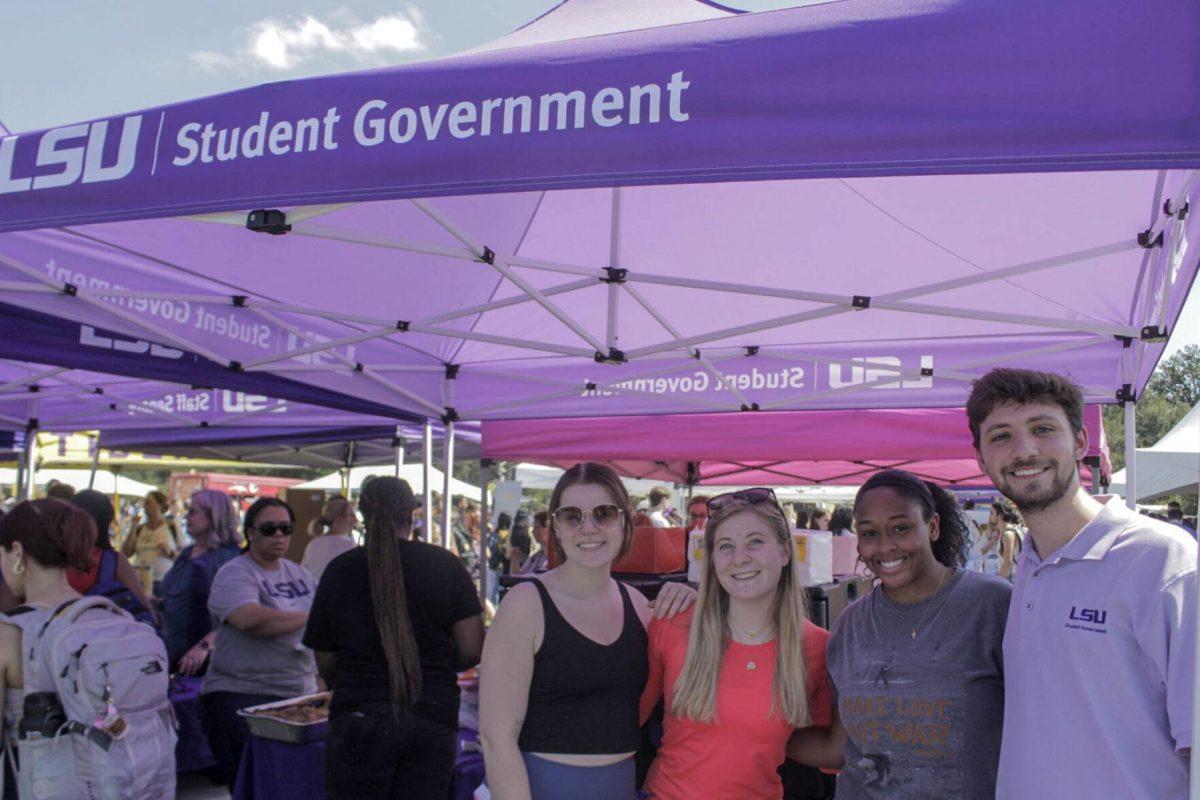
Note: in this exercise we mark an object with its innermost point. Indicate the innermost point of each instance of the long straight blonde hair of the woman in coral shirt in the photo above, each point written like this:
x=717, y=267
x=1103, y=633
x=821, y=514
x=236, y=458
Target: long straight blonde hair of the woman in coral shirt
x=695, y=691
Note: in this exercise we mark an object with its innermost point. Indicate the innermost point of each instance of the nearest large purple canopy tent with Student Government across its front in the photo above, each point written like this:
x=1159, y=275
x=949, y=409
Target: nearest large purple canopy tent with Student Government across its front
x=862, y=204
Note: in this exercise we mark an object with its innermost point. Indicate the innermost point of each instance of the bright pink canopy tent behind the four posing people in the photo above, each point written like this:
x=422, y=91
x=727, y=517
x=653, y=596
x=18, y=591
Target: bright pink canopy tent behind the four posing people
x=781, y=449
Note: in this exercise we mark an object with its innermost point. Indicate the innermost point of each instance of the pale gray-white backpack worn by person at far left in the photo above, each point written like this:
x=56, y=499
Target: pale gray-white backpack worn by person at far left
x=110, y=673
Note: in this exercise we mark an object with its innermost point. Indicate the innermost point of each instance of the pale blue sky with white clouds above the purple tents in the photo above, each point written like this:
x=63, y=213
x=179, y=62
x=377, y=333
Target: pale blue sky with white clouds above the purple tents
x=69, y=61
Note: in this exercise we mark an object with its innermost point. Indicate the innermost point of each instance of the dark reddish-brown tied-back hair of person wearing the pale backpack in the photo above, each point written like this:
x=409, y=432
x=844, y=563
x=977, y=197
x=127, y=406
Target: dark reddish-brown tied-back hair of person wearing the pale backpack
x=53, y=533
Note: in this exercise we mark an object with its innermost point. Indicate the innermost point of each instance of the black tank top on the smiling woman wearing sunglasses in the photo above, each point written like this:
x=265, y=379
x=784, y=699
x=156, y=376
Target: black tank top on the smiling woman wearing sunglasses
x=584, y=696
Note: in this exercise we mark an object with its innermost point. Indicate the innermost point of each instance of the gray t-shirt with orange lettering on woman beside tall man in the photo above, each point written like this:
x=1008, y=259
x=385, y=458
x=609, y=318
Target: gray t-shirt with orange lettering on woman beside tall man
x=923, y=715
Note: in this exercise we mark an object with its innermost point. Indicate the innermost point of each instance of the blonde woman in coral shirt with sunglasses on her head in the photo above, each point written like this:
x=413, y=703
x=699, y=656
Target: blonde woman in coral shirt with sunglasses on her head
x=746, y=670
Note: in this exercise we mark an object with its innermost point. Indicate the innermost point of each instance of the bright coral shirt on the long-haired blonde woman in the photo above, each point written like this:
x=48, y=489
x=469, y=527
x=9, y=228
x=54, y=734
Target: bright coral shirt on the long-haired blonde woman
x=740, y=755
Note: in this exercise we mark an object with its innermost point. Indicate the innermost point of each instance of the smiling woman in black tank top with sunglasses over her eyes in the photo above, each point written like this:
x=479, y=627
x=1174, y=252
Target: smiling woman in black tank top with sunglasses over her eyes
x=565, y=664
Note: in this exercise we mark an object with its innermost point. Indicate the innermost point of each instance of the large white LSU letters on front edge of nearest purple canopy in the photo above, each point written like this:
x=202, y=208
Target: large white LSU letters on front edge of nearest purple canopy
x=67, y=155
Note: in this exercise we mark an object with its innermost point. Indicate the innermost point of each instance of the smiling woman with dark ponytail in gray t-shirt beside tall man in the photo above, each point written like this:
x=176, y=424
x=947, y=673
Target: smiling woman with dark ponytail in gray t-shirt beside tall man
x=917, y=665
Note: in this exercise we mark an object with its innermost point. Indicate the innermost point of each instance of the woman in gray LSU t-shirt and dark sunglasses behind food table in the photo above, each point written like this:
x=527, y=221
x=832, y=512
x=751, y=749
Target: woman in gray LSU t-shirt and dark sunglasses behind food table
x=260, y=603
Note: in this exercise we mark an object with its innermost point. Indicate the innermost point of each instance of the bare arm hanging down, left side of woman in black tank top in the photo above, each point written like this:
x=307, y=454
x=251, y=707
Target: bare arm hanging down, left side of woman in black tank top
x=506, y=675
